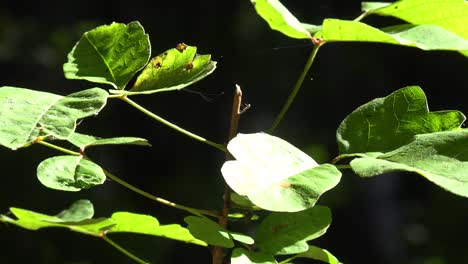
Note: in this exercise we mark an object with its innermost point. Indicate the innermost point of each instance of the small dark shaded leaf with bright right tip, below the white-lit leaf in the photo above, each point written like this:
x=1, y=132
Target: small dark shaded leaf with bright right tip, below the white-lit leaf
x=213, y=234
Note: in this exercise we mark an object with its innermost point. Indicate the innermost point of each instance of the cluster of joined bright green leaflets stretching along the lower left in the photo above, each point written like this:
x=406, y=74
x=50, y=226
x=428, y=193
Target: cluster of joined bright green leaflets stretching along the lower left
x=78, y=218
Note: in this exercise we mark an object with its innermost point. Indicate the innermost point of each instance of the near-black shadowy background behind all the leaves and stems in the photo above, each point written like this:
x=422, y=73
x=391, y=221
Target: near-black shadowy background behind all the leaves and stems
x=389, y=219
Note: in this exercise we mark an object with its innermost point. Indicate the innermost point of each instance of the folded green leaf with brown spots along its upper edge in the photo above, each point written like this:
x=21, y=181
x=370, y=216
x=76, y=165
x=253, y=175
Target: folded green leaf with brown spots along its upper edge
x=173, y=70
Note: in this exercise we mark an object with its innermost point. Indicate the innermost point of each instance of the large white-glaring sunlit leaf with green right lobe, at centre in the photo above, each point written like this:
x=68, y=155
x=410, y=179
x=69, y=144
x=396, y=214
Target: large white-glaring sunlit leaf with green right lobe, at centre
x=274, y=174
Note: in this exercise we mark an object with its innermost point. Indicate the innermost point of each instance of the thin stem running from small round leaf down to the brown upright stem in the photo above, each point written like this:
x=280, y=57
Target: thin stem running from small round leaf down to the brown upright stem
x=194, y=211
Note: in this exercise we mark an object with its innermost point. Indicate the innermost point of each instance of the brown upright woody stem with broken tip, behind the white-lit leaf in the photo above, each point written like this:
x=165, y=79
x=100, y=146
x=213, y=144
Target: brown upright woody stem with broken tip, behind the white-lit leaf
x=218, y=252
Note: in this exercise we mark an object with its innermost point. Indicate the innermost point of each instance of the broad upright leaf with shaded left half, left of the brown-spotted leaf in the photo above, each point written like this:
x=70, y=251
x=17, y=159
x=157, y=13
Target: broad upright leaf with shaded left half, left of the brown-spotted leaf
x=110, y=54
